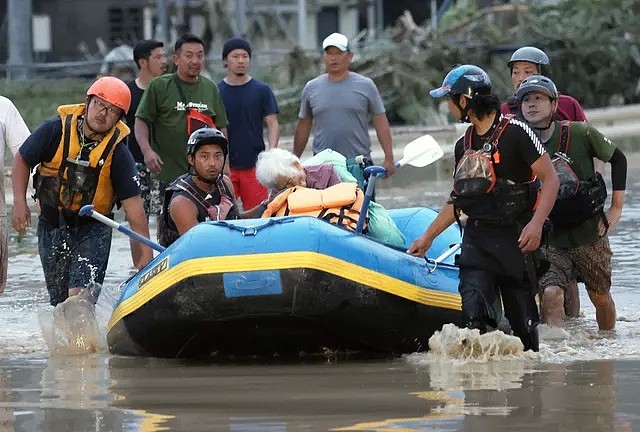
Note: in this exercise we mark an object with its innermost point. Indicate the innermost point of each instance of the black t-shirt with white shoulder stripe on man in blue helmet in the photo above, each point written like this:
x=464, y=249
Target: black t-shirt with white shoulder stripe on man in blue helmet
x=518, y=145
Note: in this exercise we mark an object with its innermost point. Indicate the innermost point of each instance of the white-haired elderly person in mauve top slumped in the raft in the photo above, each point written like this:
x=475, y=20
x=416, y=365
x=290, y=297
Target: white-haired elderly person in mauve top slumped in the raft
x=278, y=169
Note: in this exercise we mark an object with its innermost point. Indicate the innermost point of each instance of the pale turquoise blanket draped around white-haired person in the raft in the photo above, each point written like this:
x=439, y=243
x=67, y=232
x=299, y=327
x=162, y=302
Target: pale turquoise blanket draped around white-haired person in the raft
x=381, y=225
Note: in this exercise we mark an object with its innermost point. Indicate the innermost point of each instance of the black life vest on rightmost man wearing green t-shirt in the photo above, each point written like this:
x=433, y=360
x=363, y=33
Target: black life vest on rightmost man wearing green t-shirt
x=577, y=200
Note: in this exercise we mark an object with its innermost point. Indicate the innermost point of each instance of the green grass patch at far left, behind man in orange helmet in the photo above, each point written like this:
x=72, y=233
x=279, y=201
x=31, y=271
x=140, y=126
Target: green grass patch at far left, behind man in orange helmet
x=38, y=100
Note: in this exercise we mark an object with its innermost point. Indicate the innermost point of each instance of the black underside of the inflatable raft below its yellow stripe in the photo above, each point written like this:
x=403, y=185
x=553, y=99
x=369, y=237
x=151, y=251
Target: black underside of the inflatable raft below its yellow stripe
x=316, y=313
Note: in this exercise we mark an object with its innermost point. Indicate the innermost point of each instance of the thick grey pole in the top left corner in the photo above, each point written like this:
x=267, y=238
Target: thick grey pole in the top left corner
x=20, y=56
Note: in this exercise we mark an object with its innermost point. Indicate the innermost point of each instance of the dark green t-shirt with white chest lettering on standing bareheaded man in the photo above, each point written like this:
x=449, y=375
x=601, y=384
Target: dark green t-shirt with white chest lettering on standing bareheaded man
x=165, y=113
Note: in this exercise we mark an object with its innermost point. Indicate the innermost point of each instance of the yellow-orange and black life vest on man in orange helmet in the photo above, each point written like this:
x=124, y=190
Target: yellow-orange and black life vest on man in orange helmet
x=67, y=186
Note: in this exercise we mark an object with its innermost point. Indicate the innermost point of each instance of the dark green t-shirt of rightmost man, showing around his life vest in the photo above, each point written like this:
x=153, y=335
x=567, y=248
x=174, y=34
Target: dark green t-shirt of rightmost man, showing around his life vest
x=585, y=143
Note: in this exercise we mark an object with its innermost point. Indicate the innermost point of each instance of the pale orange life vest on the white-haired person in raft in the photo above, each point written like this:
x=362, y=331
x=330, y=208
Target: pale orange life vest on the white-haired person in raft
x=339, y=204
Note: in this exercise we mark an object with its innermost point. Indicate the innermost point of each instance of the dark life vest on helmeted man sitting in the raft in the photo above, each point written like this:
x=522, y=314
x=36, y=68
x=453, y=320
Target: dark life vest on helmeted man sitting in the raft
x=185, y=186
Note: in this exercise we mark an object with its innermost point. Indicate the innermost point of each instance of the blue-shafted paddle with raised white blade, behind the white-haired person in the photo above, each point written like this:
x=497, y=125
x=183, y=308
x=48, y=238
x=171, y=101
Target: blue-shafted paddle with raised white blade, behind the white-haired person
x=419, y=153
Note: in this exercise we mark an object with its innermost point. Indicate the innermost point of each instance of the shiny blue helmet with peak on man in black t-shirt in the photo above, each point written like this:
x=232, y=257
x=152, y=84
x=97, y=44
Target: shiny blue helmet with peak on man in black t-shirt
x=468, y=80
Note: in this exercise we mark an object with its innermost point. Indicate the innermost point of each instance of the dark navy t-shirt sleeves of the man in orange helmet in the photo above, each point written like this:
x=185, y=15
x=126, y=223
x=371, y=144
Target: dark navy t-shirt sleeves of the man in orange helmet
x=42, y=144
